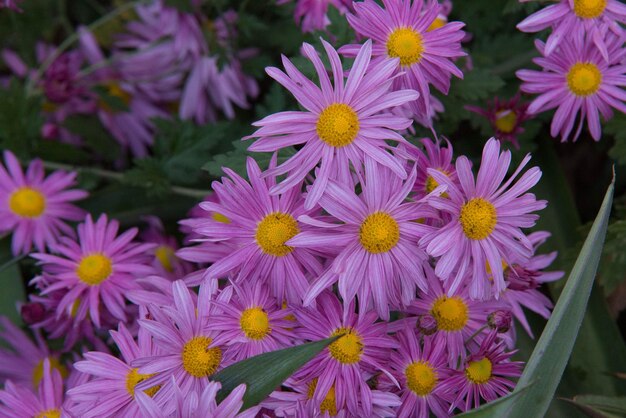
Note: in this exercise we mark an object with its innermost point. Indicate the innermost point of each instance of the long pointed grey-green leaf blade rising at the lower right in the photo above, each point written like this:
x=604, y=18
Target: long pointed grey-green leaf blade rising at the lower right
x=550, y=356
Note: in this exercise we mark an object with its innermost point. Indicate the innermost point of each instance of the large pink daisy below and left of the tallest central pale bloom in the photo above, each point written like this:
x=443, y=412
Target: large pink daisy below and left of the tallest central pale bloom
x=255, y=226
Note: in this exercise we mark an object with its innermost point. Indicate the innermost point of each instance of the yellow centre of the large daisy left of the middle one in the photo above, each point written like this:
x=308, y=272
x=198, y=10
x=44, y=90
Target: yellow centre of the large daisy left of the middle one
x=273, y=231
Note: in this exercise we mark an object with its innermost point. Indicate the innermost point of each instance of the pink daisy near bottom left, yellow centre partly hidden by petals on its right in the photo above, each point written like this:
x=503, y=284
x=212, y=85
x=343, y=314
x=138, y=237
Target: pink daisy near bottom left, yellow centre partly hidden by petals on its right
x=111, y=391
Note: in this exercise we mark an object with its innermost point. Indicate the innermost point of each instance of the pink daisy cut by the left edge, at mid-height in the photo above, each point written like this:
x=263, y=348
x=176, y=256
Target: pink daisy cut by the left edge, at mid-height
x=35, y=208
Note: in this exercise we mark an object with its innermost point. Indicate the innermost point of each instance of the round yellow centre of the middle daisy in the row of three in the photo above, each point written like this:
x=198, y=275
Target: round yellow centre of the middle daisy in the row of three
x=379, y=233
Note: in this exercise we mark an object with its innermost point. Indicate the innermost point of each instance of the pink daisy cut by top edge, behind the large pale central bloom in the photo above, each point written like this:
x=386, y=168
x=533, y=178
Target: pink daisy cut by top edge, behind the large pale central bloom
x=402, y=29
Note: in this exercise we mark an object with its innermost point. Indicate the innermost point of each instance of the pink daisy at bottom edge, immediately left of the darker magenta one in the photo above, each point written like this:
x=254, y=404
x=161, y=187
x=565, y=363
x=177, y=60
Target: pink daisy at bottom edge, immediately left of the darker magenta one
x=421, y=367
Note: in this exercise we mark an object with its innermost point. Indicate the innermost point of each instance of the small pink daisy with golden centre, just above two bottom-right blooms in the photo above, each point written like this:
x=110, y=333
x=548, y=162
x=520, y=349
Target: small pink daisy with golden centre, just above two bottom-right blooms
x=457, y=319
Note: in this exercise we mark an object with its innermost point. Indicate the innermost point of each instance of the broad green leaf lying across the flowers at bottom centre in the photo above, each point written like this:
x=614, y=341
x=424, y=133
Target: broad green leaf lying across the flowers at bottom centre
x=264, y=373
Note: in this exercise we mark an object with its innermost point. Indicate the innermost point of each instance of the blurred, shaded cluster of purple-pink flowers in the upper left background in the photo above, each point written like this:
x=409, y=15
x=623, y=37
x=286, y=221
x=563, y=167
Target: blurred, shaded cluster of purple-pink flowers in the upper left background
x=165, y=62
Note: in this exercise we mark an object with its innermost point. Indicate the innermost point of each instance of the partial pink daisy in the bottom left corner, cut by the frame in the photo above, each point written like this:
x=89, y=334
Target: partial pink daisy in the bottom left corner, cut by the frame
x=19, y=402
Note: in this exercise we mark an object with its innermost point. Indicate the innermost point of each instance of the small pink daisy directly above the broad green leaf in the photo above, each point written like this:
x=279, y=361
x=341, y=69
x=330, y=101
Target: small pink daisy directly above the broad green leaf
x=250, y=322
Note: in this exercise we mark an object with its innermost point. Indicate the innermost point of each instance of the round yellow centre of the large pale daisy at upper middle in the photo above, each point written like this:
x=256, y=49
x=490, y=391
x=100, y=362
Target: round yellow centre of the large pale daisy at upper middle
x=338, y=125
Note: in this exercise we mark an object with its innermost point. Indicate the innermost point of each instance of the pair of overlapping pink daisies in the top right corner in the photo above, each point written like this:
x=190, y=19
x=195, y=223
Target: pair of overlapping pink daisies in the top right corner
x=582, y=64
